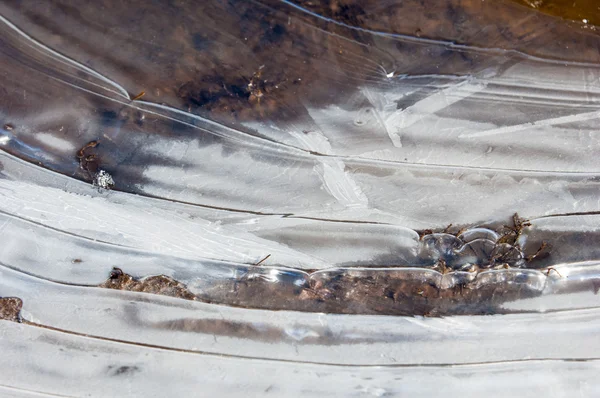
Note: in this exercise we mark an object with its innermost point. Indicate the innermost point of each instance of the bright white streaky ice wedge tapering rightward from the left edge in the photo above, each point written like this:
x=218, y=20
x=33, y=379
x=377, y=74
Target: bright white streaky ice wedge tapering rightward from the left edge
x=200, y=239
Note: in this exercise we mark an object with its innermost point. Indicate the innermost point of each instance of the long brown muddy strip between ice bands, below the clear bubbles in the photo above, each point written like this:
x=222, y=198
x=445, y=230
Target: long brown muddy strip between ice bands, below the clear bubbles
x=349, y=292
